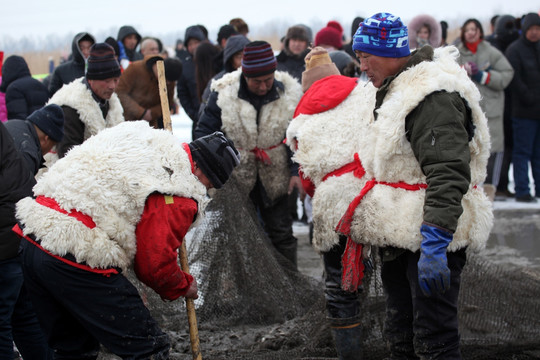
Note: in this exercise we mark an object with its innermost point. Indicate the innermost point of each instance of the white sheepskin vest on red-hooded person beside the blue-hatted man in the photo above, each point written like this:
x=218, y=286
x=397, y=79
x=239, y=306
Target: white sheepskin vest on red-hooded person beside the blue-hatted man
x=322, y=144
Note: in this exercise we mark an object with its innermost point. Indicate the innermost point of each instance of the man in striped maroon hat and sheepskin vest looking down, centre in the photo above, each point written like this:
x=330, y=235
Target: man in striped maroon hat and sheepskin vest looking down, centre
x=253, y=107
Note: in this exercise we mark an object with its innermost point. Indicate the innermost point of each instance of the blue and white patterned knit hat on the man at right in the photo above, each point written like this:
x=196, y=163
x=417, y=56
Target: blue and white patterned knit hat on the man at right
x=382, y=34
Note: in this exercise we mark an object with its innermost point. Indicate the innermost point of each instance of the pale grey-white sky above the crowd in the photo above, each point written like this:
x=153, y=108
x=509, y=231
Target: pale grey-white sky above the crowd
x=42, y=18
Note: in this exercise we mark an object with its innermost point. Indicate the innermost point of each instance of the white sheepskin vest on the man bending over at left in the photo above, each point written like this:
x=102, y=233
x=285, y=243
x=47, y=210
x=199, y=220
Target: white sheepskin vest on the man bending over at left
x=108, y=178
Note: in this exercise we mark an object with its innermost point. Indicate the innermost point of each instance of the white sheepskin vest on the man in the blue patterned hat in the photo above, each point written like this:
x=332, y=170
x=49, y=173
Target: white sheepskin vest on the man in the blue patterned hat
x=391, y=216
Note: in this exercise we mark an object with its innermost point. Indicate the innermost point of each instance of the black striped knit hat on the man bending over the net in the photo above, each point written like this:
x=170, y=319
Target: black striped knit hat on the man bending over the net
x=216, y=156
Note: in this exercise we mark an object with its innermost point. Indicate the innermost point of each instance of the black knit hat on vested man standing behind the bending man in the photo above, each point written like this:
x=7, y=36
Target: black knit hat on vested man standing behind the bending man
x=102, y=63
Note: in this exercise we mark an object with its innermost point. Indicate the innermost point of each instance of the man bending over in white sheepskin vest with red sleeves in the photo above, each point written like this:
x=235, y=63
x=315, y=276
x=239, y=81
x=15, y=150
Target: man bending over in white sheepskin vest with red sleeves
x=125, y=197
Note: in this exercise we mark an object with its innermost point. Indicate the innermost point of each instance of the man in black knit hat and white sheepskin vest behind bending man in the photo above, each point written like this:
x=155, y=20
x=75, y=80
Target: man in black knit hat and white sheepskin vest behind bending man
x=90, y=103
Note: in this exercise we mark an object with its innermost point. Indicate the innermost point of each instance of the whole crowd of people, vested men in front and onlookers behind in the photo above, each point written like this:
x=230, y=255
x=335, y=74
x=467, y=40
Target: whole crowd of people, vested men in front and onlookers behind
x=396, y=143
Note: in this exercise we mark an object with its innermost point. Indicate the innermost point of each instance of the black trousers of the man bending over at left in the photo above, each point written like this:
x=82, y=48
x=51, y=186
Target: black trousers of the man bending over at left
x=79, y=309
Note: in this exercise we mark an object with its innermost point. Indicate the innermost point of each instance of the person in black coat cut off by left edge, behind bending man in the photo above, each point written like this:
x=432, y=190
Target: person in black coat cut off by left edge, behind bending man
x=17, y=316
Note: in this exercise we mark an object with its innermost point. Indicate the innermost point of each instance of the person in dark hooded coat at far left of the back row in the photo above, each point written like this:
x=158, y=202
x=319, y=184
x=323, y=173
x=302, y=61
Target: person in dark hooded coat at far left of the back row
x=24, y=94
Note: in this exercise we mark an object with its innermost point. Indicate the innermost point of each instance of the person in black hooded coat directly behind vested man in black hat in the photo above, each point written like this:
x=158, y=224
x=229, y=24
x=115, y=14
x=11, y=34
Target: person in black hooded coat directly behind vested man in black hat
x=74, y=68
